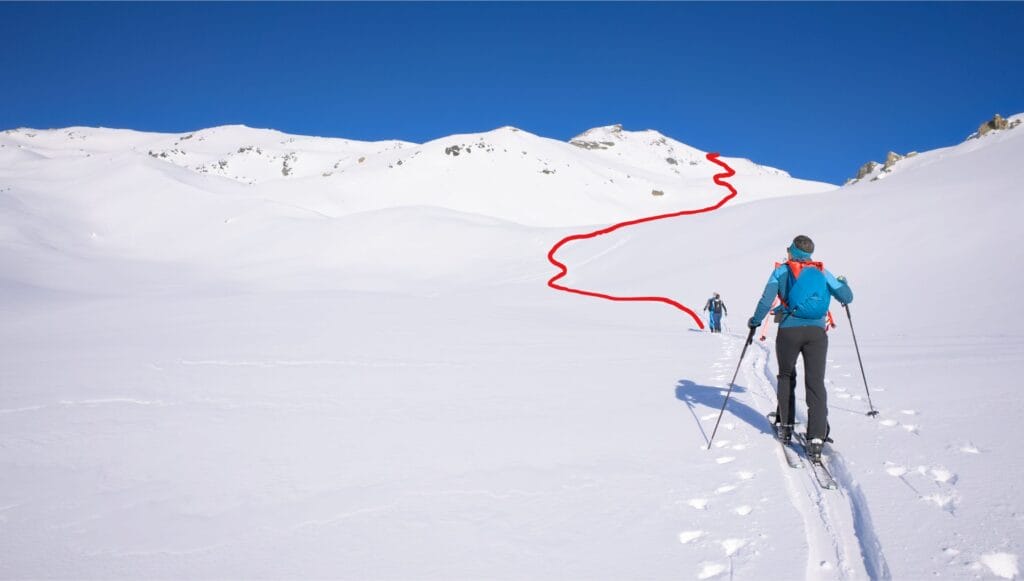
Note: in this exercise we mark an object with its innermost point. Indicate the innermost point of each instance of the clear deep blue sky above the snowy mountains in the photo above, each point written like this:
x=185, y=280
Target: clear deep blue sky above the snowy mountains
x=813, y=89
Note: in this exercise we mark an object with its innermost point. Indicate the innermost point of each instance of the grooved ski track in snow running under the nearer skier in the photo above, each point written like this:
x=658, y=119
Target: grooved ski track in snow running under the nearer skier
x=841, y=537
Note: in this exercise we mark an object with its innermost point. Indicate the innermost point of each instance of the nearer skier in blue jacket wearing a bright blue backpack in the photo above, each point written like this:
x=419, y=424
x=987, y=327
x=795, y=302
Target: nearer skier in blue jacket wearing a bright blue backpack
x=805, y=288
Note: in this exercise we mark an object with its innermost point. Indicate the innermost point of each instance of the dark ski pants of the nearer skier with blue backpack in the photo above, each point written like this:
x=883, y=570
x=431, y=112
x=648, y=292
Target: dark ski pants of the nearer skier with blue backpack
x=813, y=343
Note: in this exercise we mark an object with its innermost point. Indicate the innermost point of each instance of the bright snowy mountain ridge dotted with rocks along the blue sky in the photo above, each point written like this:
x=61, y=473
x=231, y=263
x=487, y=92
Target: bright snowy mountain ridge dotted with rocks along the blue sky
x=506, y=174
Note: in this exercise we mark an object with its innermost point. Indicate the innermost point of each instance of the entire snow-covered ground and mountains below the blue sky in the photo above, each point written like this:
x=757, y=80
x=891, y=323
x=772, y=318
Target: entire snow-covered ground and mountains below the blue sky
x=207, y=378
